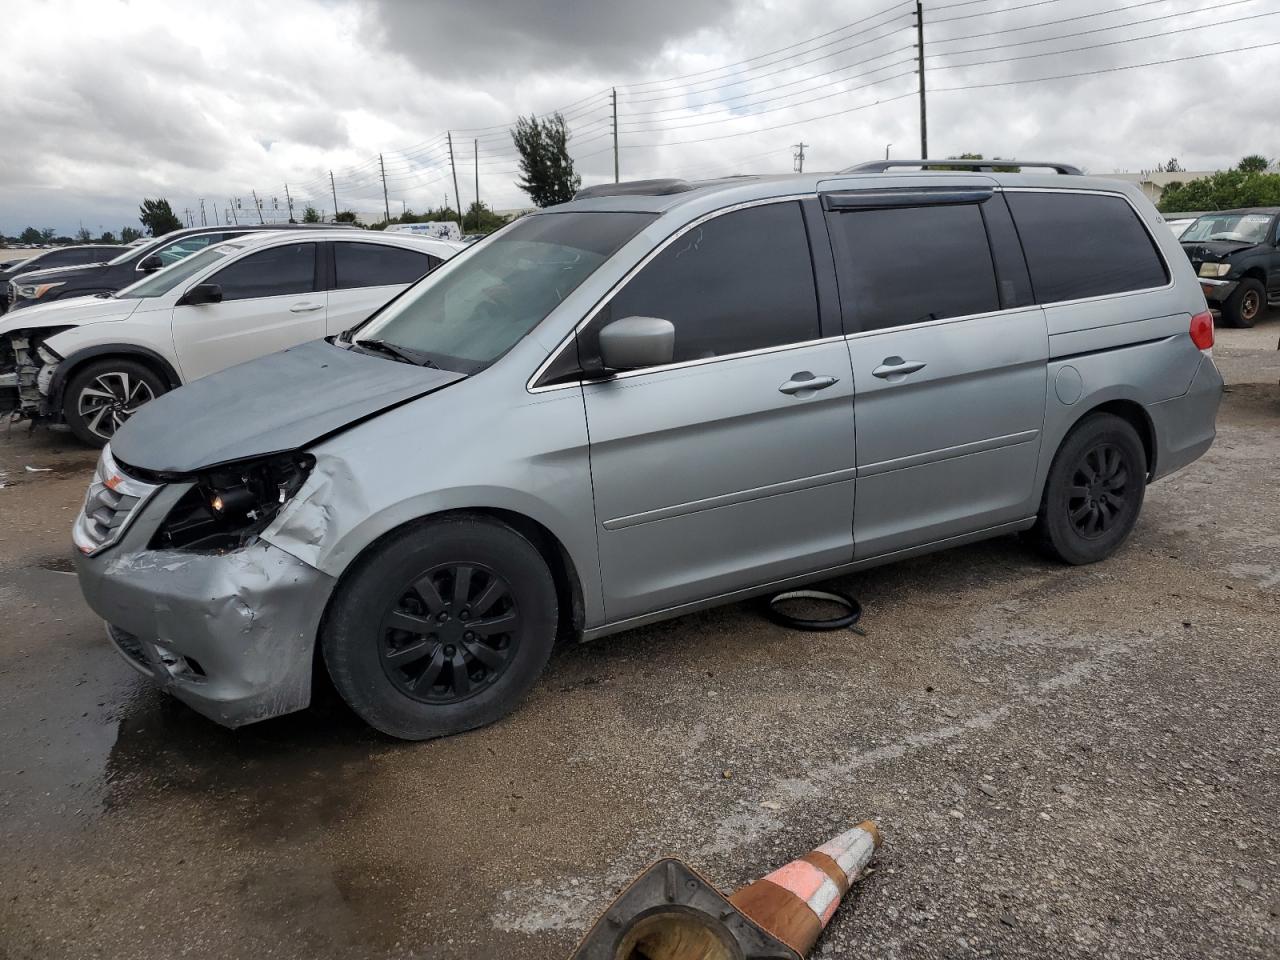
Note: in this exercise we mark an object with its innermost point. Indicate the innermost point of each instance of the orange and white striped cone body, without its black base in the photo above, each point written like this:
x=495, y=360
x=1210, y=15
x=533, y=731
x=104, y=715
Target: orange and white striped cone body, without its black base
x=797, y=902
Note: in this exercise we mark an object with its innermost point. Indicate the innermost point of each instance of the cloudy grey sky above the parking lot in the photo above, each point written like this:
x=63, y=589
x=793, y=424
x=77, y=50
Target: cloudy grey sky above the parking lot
x=108, y=102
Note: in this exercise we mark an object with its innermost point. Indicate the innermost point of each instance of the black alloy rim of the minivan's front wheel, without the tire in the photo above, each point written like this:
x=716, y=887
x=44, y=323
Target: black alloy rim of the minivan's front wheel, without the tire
x=454, y=632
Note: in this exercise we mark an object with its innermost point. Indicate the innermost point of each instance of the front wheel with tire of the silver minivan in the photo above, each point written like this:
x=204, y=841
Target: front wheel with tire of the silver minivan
x=409, y=616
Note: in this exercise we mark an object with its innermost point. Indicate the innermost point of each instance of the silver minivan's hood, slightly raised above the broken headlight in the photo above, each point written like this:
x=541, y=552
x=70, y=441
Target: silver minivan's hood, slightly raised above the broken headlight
x=281, y=403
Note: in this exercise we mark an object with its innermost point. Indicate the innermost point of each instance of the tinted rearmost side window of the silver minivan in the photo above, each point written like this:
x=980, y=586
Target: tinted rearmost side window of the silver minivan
x=1084, y=245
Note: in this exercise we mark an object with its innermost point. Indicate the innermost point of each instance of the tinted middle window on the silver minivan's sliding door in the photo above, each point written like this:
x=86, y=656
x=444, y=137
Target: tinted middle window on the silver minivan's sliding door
x=911, y=266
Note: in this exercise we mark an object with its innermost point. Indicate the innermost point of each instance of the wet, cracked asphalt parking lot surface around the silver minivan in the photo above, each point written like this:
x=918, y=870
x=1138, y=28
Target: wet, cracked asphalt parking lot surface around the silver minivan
x=1064, y=762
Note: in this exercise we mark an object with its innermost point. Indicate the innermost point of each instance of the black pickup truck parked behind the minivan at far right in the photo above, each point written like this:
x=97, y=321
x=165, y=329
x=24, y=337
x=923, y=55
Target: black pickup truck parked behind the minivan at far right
x=1237, y=257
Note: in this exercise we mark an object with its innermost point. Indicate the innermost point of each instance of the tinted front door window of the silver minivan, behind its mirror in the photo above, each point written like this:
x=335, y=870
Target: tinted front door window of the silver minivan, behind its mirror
x=737, y=284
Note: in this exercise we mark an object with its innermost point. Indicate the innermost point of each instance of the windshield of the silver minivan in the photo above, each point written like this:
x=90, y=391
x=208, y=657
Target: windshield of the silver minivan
x=479, y=305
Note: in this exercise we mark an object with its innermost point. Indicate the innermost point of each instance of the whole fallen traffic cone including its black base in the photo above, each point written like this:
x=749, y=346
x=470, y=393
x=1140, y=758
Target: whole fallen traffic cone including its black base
x=671, y=913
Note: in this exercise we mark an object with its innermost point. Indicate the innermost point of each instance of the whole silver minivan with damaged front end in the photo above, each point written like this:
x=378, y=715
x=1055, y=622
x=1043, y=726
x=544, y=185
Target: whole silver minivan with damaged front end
x=656, y=399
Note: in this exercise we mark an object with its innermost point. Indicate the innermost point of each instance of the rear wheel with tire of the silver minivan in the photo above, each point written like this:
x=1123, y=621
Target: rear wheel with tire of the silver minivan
x=1085, y=520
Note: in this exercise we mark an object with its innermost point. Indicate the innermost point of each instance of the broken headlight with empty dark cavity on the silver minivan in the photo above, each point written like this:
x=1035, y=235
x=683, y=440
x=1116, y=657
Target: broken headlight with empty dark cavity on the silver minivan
x=230, y=506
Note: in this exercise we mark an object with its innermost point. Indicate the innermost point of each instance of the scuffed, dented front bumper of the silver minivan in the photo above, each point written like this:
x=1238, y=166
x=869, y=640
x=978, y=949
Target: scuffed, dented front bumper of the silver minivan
x=230, y=634
